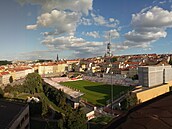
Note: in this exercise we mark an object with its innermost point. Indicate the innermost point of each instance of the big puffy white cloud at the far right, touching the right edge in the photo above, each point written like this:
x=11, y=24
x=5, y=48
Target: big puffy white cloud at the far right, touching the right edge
x=148, y=27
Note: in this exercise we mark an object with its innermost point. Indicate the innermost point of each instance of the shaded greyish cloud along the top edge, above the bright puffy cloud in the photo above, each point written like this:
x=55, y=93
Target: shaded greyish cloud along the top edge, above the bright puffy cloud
x=73, y=5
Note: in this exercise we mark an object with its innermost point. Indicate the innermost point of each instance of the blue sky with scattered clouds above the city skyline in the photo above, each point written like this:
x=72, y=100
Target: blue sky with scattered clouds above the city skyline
x=41, y=29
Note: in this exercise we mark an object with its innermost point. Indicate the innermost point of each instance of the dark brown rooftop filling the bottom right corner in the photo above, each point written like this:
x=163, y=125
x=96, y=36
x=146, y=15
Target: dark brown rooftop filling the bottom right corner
x=155, y=114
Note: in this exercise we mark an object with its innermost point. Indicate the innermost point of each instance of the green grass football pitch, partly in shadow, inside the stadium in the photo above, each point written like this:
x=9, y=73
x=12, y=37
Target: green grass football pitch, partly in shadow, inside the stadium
x=95, y=93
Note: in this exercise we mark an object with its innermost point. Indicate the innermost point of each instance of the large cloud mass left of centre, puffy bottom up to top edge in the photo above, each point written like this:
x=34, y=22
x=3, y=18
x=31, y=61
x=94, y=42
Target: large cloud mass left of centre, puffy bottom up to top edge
x=61, y=15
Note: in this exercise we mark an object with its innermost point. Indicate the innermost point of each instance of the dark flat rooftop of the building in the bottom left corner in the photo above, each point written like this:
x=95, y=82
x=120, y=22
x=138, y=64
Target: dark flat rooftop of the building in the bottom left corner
x=9, y=111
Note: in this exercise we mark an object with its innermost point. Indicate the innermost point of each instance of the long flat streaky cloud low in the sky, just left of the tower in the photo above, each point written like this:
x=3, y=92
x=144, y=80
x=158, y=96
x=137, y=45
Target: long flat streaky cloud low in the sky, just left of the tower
x=79, y=46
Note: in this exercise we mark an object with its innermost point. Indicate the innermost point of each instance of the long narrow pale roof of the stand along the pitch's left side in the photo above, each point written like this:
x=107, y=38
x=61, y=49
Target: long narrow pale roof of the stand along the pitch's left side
x=66, y=90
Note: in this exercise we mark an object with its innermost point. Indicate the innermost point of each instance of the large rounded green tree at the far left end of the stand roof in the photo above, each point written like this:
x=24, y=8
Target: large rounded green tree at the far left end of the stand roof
x=33, y=82
